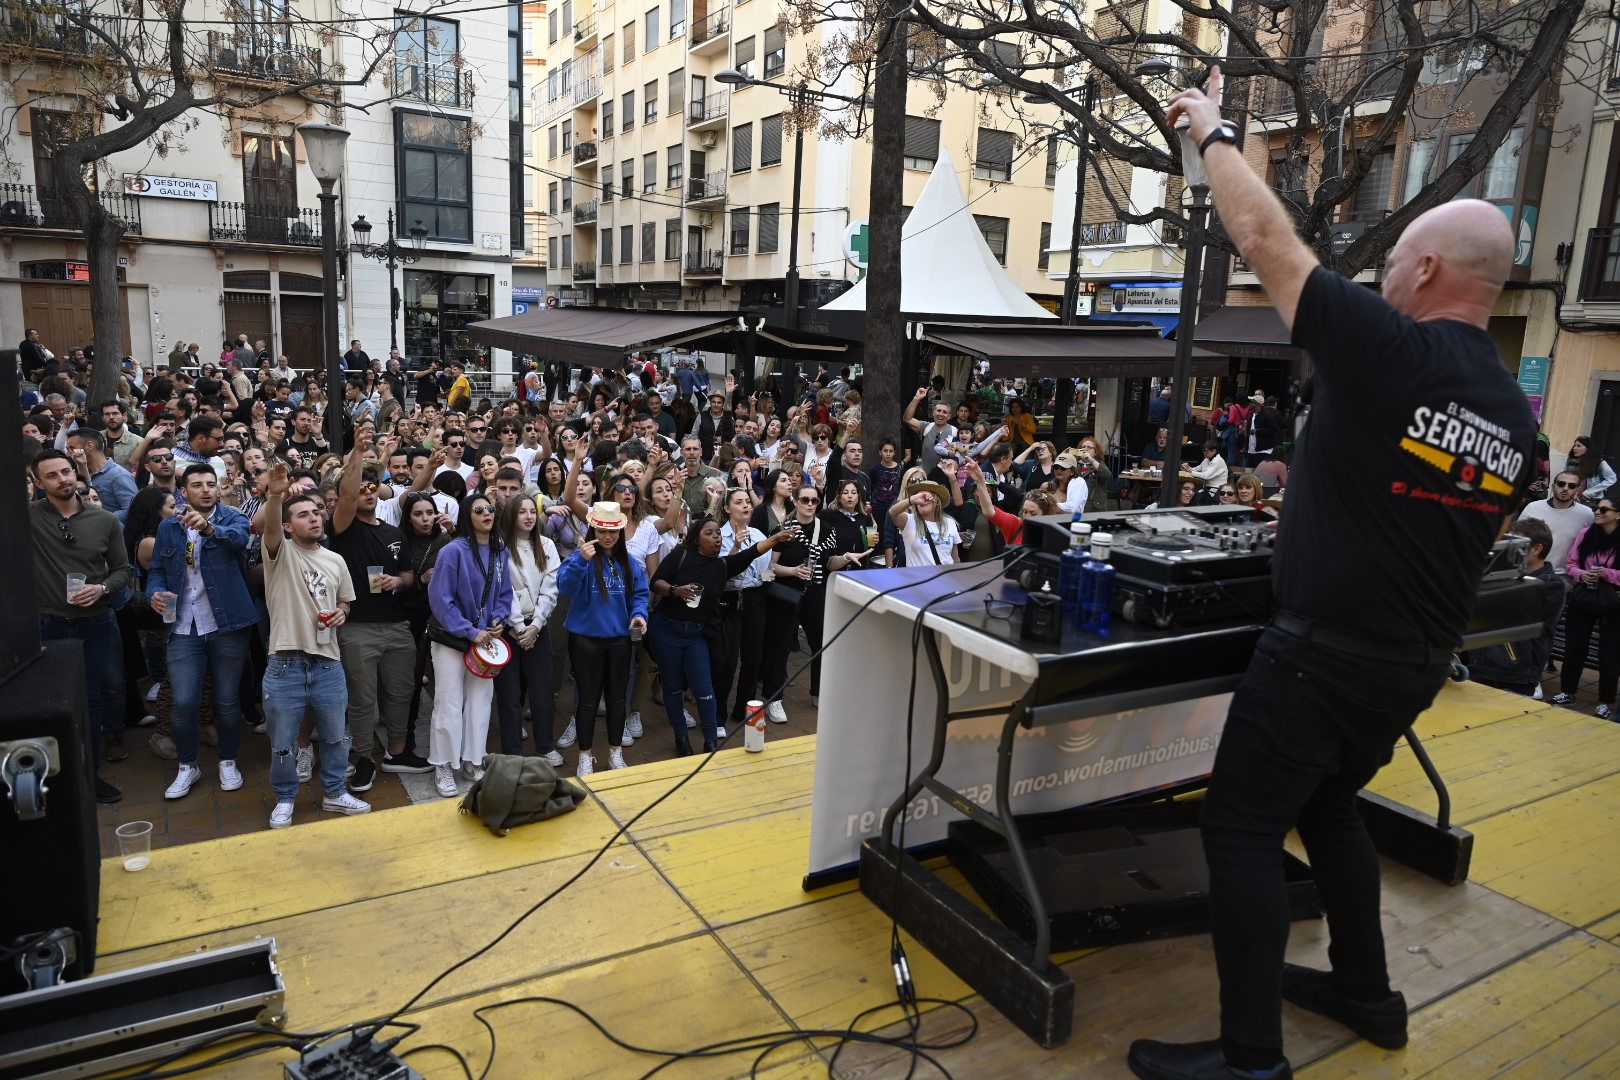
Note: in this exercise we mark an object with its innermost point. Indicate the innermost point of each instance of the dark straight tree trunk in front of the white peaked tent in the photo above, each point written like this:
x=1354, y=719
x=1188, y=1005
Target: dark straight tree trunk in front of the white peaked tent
x=882, y=393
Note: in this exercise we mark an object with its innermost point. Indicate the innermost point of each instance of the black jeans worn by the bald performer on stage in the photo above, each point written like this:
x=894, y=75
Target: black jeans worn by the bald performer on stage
x=1307, y=731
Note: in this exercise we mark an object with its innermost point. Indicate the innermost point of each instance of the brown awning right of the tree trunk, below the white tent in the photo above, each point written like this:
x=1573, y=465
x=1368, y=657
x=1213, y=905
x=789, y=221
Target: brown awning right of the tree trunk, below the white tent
x=1078, y=352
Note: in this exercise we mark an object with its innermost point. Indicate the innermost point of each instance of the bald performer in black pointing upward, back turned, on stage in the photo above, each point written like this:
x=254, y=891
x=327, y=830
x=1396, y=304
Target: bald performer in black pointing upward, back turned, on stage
x=1378, y=566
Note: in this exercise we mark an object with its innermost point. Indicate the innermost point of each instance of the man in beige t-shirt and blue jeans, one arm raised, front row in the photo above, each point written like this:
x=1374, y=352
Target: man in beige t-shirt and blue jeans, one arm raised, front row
x=309, y=592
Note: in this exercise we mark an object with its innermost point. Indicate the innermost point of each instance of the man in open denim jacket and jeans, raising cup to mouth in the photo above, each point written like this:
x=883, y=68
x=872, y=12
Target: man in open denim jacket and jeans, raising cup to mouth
x=200, y=566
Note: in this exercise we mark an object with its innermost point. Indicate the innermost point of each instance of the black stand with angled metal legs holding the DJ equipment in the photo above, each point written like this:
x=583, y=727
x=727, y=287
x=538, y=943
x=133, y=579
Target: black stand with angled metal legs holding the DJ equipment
x=1089, y=676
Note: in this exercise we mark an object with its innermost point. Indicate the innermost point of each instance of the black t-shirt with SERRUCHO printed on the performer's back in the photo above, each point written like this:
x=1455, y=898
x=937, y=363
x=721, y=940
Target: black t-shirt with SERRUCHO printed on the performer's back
x=1417, y=448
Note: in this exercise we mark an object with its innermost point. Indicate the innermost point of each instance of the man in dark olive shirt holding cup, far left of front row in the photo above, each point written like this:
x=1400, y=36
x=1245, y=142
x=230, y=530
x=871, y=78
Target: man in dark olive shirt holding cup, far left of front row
x=72, y=538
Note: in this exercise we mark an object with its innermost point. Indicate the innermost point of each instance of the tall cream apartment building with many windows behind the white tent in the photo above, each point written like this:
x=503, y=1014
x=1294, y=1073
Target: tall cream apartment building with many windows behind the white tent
x=667, y=189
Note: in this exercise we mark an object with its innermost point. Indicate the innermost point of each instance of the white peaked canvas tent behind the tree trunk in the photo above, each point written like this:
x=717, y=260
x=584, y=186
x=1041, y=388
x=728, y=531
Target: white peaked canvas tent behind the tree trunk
x=947, y=268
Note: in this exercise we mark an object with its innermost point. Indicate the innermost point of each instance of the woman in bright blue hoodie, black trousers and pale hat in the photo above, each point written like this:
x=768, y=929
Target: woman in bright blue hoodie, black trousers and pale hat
x=607, y=597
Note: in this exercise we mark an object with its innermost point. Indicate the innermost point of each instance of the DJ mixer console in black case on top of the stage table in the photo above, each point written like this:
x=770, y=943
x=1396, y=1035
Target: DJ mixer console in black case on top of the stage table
x=1190, y=566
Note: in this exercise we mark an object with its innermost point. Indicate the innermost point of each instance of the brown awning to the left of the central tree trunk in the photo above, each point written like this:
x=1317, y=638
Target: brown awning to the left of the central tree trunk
x=603, y=336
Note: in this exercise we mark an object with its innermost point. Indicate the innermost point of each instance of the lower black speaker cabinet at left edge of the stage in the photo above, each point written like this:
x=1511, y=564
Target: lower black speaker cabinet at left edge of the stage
x=48, y=815
